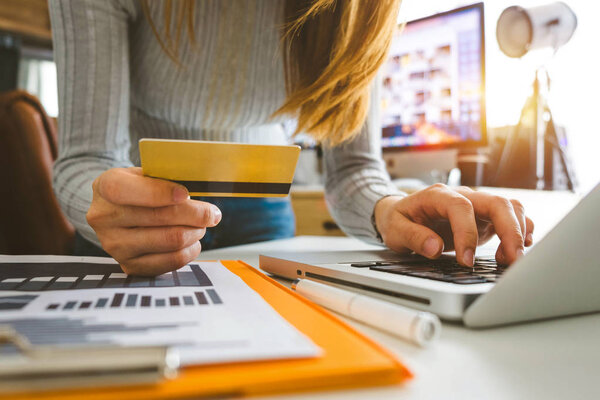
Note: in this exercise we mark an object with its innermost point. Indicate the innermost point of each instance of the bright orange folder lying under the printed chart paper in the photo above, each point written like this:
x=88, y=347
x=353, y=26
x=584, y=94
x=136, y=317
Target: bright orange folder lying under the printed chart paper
x=350, y=360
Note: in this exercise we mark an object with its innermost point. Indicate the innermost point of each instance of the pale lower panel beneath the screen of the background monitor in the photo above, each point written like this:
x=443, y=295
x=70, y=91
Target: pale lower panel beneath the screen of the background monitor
x=427, y=166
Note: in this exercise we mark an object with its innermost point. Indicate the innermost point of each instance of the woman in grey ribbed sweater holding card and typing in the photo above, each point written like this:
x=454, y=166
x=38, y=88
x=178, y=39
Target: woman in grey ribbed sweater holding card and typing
x=232, y=71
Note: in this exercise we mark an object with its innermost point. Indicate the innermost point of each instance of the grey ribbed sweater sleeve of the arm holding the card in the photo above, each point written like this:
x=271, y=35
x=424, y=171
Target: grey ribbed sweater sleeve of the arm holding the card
x=91, y=54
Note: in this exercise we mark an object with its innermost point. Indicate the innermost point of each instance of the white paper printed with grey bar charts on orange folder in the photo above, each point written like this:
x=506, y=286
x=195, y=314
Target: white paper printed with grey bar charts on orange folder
x=205, y=311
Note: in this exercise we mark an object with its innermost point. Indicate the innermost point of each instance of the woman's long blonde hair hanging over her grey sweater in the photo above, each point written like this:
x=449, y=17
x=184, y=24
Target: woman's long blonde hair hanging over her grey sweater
x=332, y=50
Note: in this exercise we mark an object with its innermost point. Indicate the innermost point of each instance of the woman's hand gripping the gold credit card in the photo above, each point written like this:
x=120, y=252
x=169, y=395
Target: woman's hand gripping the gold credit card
x=150, y=226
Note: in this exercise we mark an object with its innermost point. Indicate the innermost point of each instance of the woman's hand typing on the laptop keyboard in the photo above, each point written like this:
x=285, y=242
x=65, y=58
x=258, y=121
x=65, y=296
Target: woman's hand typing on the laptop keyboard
x=440, y=219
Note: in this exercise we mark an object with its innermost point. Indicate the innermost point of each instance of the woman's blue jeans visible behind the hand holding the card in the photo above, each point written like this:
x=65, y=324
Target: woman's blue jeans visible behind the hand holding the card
x=245, y=220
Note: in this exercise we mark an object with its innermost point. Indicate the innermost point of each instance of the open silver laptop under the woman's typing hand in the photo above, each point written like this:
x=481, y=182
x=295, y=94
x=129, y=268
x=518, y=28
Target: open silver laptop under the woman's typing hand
x=558, y=276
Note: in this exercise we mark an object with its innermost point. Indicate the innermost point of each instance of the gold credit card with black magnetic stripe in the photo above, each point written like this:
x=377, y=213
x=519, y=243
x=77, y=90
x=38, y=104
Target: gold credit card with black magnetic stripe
x=220, y=168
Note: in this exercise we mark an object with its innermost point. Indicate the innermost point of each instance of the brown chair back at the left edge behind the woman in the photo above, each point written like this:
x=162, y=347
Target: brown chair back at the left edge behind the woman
x=31, y=221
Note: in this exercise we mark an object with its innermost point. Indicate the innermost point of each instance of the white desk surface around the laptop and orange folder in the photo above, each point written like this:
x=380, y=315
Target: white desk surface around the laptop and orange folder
x=555, y=359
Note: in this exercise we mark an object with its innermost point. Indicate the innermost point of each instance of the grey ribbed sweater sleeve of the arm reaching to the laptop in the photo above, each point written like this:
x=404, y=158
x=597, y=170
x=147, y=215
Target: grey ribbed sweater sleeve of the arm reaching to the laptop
x=355, y=178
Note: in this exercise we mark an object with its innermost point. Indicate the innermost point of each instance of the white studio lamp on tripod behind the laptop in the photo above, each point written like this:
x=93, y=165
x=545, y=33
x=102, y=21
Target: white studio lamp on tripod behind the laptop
x=519, y=31
